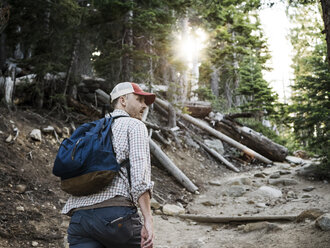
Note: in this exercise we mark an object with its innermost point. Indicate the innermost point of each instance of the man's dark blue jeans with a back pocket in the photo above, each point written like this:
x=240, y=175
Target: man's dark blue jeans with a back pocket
x=109, y=227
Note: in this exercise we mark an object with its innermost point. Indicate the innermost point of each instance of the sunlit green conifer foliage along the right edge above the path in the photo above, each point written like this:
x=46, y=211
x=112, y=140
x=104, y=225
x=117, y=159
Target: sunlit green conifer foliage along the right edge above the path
x=309, y=112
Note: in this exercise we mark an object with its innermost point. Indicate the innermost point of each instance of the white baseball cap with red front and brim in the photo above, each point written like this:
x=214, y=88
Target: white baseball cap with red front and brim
x=127, y=88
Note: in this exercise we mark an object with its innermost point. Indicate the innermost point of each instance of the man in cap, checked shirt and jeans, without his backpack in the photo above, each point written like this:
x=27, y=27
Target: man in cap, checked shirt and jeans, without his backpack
x=109, y=218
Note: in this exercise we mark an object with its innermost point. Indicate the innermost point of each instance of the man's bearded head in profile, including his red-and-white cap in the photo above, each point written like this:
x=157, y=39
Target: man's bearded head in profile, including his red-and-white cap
x=131, y=98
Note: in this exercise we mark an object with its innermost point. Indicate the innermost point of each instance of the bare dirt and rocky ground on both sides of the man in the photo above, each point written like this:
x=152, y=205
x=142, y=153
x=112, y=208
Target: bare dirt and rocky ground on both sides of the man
x=30, y=197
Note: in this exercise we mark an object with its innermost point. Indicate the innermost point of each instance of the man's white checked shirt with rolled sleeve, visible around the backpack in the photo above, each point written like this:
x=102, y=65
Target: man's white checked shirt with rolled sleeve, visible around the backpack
x=130, y=140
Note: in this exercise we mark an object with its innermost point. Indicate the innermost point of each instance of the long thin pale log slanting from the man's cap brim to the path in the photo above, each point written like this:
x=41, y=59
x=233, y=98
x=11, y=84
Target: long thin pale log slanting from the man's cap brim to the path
x=218, y=134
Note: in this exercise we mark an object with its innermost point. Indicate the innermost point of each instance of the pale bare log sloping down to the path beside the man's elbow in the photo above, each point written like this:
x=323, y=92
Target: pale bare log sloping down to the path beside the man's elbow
x=171, y=167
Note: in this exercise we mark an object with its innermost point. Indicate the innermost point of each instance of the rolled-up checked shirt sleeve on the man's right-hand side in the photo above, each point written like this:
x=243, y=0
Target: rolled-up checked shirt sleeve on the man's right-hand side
x=139, y=156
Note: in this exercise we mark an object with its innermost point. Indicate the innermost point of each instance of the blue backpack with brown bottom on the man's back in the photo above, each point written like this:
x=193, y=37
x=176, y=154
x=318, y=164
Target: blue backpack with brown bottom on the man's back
x=86, y=162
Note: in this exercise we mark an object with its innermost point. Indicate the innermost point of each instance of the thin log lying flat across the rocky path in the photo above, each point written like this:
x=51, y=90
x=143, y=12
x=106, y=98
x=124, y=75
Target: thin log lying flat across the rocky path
x=227, y=219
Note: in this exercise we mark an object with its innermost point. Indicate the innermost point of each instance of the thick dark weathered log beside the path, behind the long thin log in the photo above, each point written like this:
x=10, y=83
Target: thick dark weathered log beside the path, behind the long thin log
x=253, y=139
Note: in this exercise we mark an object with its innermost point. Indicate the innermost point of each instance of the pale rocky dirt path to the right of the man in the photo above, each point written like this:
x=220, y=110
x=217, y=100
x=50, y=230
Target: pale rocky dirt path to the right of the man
x=275, y=190
